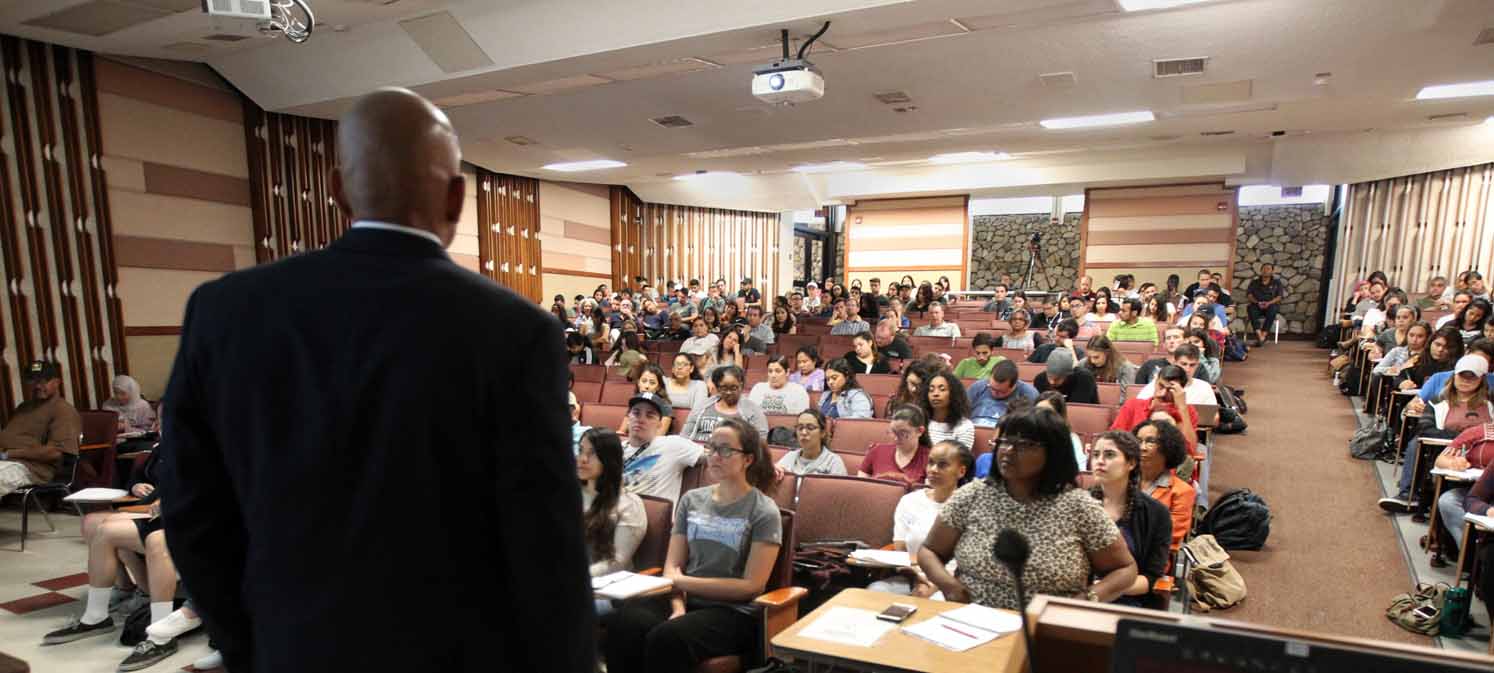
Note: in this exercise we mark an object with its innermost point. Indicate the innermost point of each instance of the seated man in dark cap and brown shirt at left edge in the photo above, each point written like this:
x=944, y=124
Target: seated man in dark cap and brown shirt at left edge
x=41, y=430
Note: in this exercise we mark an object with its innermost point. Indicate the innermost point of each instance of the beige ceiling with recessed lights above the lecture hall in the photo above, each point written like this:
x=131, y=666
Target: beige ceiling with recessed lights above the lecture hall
x=582, y=80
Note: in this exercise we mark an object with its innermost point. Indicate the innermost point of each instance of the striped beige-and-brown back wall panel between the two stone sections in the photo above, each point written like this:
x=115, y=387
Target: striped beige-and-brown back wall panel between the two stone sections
x=1157, y=231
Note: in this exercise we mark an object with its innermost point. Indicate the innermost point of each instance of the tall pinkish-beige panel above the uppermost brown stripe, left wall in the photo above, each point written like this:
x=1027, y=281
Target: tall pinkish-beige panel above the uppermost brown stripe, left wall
x=164, y=135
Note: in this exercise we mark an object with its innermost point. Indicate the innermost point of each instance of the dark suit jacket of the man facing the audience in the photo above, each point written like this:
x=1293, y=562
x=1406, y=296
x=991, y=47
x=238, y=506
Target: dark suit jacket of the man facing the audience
x=368, y=467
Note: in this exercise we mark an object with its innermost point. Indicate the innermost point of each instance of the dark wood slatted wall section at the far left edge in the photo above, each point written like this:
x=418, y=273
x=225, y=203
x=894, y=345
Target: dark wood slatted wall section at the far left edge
x=56, y=243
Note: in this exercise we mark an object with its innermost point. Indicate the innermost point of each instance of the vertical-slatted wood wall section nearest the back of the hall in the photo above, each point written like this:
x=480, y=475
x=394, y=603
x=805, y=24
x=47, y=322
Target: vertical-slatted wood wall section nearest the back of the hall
x=681, y=243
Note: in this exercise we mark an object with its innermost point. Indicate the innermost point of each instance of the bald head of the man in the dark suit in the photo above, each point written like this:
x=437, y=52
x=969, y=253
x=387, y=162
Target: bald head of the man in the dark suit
x=400, y=162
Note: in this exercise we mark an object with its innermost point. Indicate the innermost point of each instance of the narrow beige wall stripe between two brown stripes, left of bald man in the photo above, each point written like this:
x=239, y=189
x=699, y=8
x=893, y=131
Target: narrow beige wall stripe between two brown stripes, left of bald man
x=153, y=216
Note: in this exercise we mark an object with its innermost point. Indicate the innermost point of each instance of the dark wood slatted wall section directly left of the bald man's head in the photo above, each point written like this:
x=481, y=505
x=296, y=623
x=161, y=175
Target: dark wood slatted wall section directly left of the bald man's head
x=291, y=165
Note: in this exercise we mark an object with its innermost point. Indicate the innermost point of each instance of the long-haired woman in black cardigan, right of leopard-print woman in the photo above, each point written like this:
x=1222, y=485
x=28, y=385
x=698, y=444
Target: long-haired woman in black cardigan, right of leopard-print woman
x=1145, y=524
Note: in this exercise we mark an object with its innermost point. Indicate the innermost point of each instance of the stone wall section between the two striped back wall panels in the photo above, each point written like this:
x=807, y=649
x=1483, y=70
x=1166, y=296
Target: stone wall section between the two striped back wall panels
x=999, y=246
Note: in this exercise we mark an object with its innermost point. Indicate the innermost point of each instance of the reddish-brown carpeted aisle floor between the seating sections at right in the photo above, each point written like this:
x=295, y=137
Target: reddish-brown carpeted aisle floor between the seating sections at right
x=1333, y=560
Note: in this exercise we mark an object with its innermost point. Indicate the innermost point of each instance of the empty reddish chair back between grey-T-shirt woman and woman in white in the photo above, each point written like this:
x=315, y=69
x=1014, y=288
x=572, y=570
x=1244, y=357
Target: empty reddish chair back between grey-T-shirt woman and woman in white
x=858, y=509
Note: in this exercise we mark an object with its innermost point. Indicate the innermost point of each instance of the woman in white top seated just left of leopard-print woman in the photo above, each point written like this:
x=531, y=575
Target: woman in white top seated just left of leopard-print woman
x=951, y=467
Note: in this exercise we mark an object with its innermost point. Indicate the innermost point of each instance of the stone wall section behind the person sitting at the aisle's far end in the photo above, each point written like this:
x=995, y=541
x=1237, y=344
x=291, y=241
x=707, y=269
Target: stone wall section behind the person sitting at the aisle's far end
x=1295, y=239
